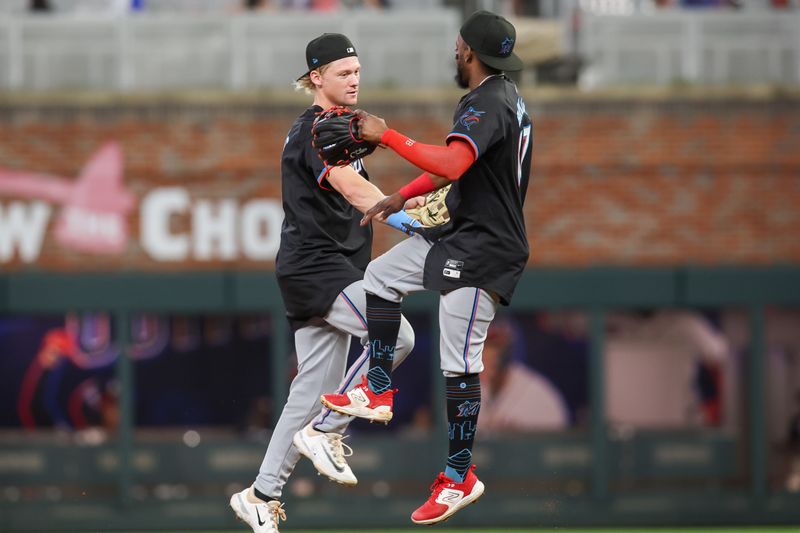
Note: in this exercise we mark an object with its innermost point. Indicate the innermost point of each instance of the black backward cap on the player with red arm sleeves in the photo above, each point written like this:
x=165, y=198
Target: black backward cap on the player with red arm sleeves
x=492, y=38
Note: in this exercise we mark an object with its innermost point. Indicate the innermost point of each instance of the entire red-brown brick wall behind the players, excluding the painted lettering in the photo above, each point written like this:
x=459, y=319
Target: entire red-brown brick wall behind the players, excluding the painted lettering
x=613, y=182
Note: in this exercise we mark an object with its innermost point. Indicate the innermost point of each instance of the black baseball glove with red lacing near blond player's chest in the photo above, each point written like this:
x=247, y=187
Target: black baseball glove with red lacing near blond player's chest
x=335, y=137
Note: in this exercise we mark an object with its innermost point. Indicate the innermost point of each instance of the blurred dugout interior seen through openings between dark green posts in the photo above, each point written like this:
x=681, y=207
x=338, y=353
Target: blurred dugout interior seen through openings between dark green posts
x=665, y=369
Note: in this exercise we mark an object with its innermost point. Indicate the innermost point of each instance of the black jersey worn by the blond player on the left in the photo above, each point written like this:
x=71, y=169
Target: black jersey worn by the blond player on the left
x=323, y=248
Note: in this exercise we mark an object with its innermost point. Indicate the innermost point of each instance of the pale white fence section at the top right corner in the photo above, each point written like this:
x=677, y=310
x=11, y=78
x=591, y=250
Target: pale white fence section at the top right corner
x=695, y=47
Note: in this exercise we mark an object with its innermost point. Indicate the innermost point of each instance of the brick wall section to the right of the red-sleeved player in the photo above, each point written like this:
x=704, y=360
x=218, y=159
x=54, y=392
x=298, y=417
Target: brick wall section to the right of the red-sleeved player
x=693, y=182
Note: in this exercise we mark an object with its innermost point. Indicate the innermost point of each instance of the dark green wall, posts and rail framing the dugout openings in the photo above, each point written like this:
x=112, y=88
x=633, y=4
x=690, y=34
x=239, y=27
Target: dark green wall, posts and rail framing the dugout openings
x=595, y=475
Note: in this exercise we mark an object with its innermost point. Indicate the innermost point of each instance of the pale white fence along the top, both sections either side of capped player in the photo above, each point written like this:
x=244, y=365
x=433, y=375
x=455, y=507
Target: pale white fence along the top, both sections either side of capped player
x=404, y=48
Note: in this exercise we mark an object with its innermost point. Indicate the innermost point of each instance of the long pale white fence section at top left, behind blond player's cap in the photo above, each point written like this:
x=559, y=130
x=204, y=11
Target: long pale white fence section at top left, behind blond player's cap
x=144, y=52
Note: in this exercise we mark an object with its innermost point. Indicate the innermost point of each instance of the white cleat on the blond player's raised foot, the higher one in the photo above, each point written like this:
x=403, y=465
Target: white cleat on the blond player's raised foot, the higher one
x=327, y=452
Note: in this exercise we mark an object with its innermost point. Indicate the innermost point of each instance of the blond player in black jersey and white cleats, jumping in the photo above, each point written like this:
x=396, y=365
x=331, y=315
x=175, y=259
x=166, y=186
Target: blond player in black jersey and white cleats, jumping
x=324, y=250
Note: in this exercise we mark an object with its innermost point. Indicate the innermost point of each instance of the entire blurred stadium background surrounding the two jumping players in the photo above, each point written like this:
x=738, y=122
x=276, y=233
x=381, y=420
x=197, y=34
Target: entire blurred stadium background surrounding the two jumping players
x=647, y=372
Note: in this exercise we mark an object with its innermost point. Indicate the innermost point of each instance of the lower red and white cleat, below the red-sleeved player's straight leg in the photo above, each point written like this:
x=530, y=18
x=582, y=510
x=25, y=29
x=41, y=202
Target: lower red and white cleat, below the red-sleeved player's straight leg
x=448, y=497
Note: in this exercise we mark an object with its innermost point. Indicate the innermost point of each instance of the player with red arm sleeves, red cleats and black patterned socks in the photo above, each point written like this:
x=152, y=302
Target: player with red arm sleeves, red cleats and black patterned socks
x=474, y=261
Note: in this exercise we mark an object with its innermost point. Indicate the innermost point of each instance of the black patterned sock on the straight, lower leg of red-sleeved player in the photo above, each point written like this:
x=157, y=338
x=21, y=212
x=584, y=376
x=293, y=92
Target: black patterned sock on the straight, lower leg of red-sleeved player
x=463, y=405
